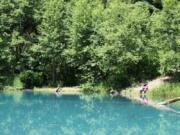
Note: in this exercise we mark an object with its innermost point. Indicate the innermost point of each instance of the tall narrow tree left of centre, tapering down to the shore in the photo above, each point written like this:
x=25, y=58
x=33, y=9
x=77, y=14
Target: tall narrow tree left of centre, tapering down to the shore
x=52, y=40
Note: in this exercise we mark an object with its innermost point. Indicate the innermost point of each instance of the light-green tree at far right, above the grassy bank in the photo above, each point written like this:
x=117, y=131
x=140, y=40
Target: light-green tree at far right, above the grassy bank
x=166, y=29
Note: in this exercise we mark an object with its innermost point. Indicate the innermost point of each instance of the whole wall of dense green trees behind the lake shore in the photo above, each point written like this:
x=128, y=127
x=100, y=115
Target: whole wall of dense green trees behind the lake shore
x=71, y=42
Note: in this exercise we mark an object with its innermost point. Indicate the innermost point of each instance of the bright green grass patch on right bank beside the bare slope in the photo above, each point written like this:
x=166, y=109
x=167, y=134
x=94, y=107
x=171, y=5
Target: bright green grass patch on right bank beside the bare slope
x=167, y=90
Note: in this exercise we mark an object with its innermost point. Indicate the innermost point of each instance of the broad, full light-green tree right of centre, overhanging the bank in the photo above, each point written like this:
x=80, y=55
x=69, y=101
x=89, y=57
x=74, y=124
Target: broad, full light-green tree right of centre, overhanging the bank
x=126, y=44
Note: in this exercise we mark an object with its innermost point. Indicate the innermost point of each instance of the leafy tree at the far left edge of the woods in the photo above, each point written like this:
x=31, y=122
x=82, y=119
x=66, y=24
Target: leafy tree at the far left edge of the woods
x=13, y=41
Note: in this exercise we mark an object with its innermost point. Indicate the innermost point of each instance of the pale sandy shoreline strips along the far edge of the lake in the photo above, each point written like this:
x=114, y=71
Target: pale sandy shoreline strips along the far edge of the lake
x=129, y=93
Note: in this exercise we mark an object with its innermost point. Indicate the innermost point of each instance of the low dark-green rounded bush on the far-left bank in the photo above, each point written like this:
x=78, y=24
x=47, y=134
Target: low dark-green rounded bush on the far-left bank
x=31, y=79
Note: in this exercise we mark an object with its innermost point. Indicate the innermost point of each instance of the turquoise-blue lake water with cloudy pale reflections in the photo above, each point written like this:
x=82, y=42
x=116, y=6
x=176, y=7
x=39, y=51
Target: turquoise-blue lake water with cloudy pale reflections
x=28, y=113
